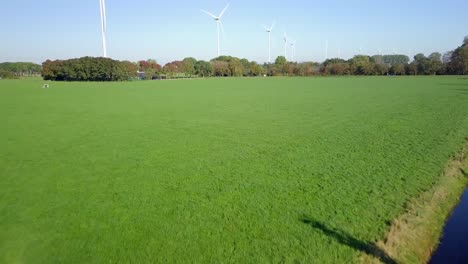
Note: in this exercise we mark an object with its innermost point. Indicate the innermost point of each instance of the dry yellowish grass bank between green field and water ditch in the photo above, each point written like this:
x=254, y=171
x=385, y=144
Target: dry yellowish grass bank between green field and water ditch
x=414, y=235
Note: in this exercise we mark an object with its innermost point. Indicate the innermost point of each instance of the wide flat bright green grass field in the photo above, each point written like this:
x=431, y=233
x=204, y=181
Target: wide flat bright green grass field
x=220, y=170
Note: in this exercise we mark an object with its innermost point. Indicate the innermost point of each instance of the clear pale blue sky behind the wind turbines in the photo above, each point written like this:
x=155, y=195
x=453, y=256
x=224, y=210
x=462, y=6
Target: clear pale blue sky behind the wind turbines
x=171, y=30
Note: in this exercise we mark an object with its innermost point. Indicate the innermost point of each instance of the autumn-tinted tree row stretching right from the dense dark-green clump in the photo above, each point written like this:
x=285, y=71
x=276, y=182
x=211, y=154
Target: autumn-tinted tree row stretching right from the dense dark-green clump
x=453, y=62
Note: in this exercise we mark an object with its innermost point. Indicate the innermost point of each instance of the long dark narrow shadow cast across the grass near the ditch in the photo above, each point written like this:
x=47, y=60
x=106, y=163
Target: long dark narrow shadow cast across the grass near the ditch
x=348, y=240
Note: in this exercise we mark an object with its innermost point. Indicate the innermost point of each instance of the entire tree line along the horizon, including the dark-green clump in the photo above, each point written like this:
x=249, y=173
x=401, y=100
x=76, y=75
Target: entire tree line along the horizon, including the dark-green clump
x=104, y=69
